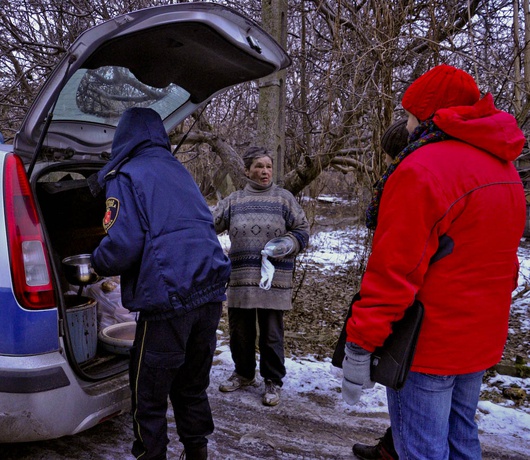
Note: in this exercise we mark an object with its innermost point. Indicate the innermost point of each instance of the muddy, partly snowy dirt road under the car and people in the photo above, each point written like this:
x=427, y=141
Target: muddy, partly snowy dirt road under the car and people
x=308, y=425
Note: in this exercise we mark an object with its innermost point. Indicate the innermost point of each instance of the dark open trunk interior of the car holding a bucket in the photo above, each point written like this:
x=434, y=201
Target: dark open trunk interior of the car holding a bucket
x=72, y=219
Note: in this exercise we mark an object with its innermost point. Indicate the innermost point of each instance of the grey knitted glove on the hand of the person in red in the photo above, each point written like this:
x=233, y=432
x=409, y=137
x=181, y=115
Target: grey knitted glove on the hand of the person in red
x=356, y=373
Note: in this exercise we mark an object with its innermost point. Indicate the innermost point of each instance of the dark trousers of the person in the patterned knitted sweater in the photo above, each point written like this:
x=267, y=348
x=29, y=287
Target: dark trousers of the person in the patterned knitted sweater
x=242, y=325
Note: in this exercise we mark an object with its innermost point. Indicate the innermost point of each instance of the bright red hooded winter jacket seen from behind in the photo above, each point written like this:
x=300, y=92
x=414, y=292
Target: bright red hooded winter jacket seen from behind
x=449, y=225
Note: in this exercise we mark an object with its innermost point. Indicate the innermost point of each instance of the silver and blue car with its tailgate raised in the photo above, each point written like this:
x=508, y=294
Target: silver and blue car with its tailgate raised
x=55, y=378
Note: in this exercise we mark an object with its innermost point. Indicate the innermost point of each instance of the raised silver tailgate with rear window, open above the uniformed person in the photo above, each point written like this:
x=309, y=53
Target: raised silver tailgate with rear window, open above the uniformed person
x=172, y=58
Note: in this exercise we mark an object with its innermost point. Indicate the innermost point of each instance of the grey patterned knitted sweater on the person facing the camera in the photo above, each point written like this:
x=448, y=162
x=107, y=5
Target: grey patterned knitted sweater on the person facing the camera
x=252, y=217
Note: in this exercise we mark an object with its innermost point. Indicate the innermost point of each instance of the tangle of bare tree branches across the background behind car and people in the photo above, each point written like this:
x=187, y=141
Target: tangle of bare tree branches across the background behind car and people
x=352, y=60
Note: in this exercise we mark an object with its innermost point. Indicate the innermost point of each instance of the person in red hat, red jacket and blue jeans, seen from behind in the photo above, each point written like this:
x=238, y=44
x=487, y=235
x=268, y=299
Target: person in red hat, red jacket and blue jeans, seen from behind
x=448, y=217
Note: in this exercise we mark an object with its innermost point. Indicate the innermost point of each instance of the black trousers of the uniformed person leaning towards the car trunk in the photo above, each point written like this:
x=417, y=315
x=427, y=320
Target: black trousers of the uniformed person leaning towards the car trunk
x=173, y=357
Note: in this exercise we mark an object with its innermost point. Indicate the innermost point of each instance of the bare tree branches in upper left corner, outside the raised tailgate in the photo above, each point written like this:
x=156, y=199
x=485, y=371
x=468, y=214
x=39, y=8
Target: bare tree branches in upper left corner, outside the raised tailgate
x=35, y=34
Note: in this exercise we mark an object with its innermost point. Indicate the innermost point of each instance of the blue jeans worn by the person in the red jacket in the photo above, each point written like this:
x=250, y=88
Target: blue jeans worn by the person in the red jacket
x=433, y=417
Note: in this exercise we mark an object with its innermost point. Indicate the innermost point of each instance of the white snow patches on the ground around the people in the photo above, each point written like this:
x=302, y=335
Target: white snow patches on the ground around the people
x=337, y=248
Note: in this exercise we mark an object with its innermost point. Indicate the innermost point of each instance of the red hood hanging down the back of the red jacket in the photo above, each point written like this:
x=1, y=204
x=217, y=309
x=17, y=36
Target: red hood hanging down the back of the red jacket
x=484, y=126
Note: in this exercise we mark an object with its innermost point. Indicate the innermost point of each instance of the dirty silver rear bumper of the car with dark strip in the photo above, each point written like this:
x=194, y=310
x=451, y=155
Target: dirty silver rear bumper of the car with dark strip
x=46, y=410
